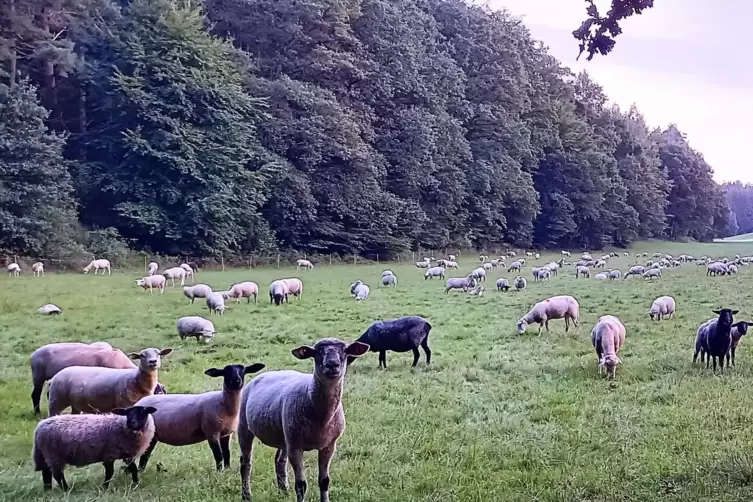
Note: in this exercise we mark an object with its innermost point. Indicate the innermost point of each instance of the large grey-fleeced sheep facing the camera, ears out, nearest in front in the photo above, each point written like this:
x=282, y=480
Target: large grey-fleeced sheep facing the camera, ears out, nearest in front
x=296, y=412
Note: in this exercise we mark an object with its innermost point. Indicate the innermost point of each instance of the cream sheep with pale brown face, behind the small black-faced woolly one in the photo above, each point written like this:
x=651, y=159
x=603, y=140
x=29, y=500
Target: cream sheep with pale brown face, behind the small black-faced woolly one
x=99, y=390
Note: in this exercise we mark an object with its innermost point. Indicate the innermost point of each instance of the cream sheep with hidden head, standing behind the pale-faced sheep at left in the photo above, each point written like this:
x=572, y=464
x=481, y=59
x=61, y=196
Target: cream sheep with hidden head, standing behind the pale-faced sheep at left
x=48, y=360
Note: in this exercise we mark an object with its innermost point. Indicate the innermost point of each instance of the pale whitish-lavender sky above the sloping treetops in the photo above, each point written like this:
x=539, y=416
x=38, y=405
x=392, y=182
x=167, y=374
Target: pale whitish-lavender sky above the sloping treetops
x=686, y=62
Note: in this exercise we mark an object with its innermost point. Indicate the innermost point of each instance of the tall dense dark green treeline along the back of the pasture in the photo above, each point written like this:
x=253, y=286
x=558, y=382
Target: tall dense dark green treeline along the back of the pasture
x=338, y=126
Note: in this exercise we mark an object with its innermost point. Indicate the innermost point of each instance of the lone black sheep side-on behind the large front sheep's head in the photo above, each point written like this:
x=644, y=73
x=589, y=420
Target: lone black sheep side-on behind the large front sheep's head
x=398, y=335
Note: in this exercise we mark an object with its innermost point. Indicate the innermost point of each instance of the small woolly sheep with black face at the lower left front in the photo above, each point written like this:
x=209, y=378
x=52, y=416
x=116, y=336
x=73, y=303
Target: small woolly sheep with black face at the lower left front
x=88, y=439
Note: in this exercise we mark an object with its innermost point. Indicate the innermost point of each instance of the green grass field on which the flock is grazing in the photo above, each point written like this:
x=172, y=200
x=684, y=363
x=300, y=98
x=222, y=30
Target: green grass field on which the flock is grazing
x=496, y=416
